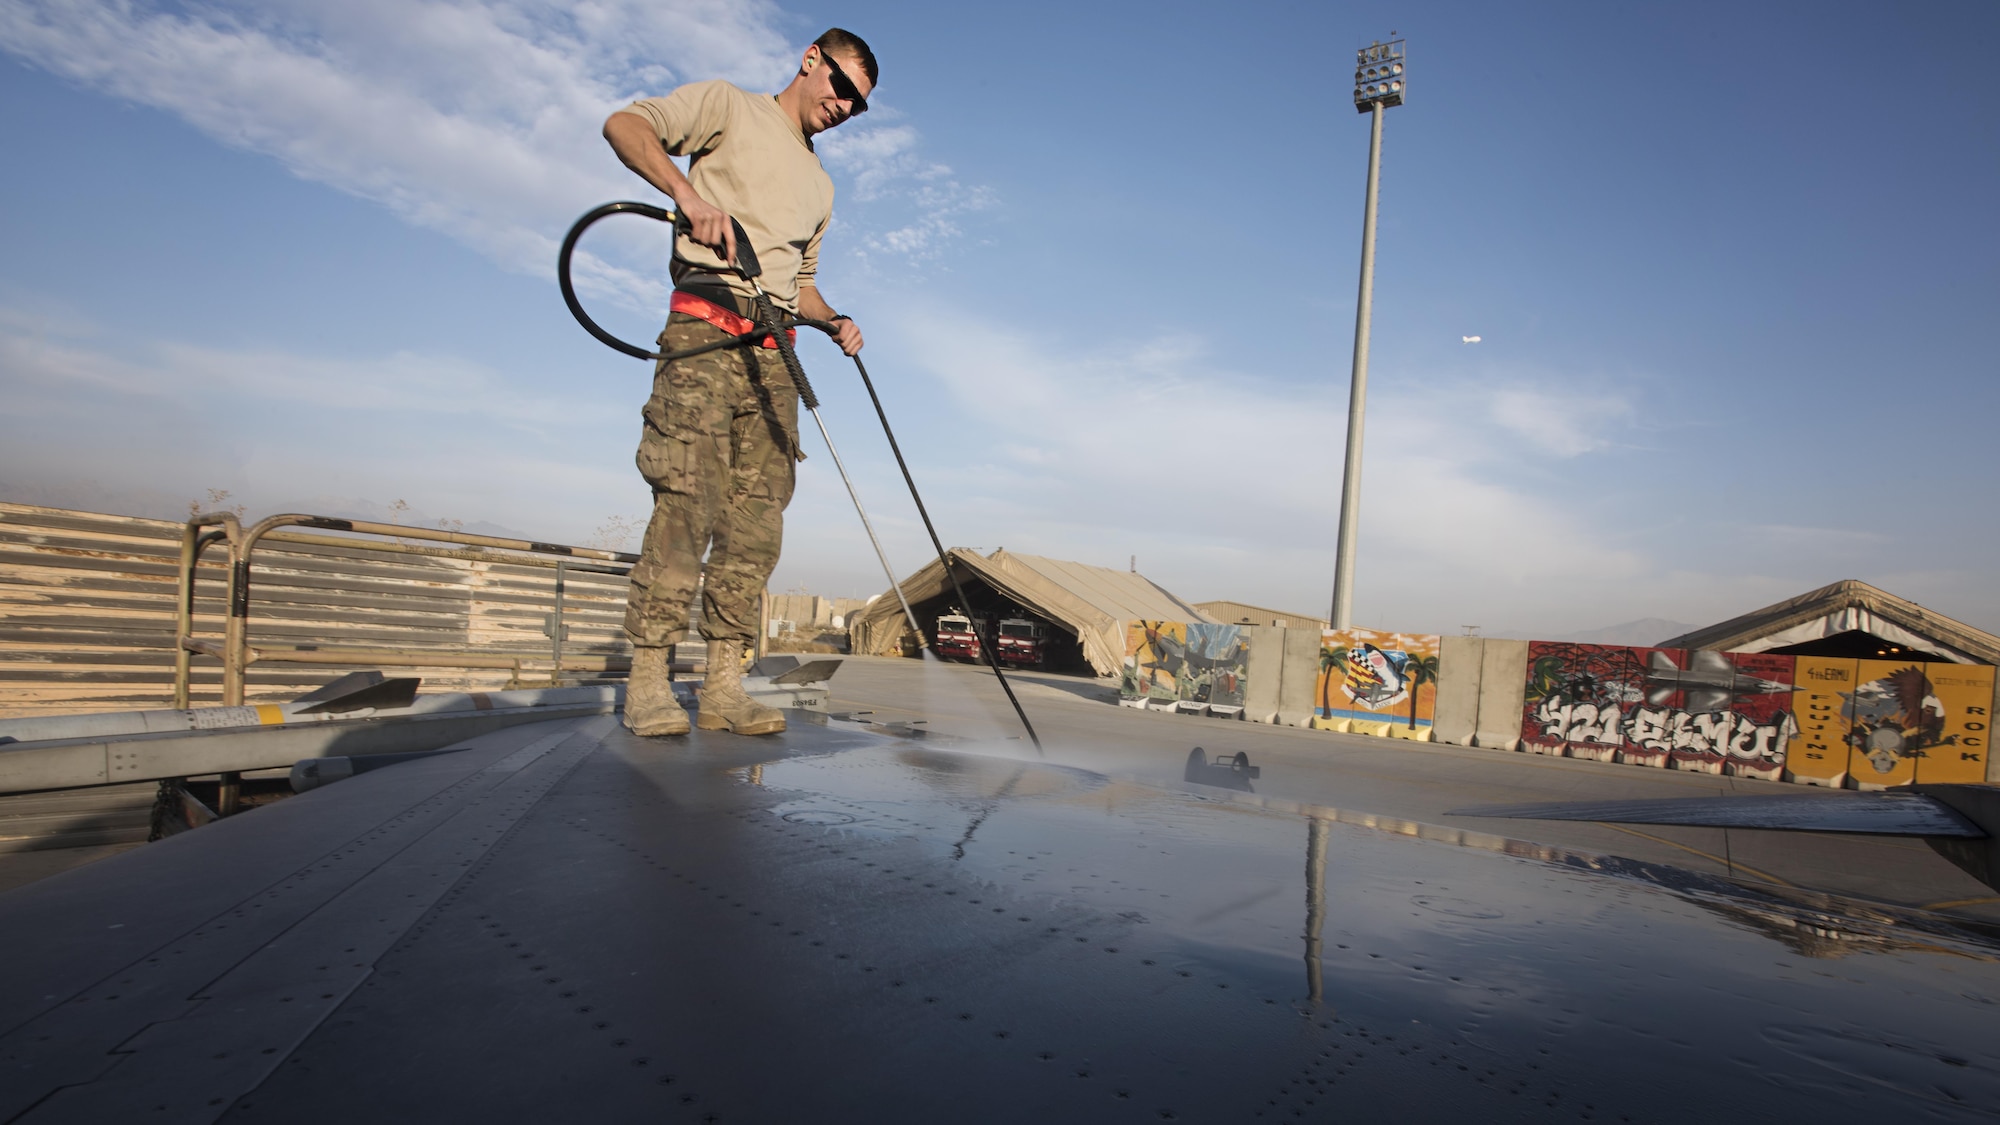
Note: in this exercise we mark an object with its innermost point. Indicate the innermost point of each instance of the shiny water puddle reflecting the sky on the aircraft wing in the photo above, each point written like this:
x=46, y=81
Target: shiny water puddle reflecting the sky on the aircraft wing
x=1449, y=946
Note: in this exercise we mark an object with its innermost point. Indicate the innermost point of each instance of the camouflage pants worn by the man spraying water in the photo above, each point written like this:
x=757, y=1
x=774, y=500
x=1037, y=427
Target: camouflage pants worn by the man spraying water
x=719, y=449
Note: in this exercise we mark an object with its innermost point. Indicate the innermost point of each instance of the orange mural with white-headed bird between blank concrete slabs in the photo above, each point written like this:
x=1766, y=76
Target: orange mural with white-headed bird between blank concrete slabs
x=1377, y=684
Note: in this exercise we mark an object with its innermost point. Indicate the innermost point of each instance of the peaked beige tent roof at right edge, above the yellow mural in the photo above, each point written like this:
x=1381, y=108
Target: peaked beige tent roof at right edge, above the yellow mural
x=1845, y=608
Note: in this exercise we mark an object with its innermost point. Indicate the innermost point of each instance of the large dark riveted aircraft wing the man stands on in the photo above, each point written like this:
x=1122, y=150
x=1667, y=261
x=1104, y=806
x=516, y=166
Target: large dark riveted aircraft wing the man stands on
x=567, y=924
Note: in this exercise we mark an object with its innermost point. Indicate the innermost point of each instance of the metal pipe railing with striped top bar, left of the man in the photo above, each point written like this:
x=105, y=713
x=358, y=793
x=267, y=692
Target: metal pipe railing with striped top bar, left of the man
x=237, y=654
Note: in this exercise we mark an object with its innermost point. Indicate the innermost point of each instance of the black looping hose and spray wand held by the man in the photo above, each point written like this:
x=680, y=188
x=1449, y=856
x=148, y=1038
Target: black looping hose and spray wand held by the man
x=775, y=327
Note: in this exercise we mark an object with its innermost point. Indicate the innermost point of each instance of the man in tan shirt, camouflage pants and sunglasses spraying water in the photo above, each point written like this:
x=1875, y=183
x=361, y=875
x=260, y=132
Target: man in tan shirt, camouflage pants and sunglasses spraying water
x=721, y=439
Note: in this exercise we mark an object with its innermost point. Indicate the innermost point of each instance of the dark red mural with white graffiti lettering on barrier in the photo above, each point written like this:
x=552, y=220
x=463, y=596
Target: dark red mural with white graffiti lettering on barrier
x=1661, y=708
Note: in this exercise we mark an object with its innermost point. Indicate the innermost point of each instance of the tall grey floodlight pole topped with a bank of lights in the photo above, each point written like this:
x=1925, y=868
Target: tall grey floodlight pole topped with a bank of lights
x=1379, y=85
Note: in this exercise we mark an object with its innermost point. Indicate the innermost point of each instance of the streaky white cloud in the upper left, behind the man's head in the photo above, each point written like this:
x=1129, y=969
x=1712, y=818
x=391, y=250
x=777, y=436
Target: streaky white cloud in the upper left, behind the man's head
x=471, y=117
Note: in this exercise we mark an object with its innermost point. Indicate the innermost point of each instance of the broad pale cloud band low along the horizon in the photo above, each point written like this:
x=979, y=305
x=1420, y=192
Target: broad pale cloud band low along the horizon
x=1225, y=485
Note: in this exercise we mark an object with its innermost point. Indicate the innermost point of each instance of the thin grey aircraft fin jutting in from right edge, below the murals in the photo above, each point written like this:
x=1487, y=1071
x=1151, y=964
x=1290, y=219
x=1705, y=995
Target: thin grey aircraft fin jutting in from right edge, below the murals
x=1867, y=814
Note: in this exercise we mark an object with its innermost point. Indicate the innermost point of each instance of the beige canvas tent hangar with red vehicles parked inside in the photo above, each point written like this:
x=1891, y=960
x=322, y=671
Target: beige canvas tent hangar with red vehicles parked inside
x=1093, y=602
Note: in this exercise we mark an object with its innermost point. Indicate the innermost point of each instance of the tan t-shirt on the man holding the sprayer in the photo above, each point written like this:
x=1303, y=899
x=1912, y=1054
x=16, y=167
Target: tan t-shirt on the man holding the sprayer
x=747, y=157
